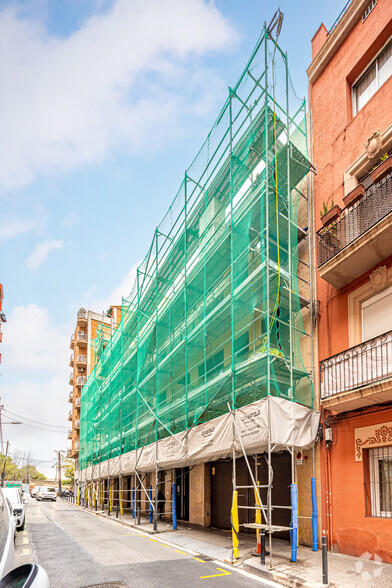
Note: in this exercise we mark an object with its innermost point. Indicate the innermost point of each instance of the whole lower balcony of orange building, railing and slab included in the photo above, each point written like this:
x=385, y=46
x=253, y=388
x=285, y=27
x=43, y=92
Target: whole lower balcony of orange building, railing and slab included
x=360, y=376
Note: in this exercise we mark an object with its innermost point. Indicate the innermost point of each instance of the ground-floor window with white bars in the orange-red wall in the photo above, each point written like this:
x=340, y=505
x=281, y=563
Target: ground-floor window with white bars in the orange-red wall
x=378, y=489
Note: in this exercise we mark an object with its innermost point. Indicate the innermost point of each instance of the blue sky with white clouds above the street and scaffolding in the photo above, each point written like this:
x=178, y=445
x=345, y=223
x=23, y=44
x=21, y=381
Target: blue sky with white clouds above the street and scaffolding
x=103, y=105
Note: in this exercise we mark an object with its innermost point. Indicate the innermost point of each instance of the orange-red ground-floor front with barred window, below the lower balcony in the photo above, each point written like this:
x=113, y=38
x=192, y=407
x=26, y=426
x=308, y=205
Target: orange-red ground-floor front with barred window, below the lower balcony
x=356, y=483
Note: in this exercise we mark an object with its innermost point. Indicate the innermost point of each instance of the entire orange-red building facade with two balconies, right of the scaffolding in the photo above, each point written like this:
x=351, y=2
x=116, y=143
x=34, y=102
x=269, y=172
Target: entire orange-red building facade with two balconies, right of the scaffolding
x=350, y=90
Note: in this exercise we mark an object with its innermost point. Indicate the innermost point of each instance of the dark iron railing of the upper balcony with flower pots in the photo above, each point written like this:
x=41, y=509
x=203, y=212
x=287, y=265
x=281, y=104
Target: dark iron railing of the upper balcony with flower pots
x=355, y=221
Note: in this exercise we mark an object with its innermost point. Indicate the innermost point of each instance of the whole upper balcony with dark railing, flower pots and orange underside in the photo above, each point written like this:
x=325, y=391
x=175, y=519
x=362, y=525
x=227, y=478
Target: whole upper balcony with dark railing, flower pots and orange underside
x=359, y=239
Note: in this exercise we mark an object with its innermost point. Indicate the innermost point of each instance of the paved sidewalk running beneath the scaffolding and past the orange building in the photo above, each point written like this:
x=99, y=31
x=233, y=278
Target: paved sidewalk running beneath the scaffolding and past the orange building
x=343, y=570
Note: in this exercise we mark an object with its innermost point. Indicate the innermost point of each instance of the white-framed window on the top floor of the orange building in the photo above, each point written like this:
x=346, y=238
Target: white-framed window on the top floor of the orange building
x=373, y=78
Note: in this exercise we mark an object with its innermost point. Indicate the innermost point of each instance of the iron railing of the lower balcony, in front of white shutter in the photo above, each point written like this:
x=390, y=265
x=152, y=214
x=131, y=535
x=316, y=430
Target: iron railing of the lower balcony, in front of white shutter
x=359, y=366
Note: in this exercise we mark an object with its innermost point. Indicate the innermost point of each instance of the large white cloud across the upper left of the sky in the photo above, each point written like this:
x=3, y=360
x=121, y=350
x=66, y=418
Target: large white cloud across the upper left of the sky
x=118, y=82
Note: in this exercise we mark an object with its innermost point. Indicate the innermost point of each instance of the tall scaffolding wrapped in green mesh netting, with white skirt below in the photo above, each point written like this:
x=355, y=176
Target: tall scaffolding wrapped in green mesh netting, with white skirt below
x=221, y=311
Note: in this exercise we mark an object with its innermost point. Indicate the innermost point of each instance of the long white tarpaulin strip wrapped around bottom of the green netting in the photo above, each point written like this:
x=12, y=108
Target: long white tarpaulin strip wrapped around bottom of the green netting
x=290, y=424
